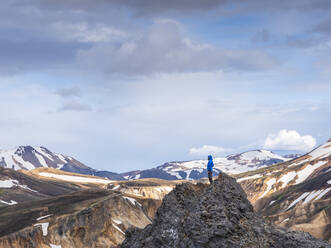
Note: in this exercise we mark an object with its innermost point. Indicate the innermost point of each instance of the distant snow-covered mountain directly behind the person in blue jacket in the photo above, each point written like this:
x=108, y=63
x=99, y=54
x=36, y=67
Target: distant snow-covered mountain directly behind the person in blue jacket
x=196, y=169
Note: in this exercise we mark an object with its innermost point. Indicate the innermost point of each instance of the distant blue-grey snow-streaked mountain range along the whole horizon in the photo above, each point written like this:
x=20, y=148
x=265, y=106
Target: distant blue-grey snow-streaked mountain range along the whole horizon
x=31, y=157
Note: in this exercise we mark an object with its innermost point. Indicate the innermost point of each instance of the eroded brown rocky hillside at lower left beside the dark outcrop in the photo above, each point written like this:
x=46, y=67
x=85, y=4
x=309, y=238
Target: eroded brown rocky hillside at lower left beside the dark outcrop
x=92, y=218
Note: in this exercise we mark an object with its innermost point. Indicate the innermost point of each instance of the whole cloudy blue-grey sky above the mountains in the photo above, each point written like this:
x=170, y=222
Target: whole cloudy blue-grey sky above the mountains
x=127, y=85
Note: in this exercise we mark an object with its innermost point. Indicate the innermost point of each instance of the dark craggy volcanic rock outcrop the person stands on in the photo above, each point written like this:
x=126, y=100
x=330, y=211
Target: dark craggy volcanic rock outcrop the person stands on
x=217, y=215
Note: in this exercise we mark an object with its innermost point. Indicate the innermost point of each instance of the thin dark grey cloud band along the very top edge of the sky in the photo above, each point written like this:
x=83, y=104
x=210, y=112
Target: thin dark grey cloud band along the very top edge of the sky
x=156, y=7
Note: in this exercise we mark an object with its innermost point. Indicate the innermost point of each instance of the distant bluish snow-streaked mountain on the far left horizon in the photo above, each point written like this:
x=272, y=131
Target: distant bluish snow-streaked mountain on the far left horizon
x=32, y=157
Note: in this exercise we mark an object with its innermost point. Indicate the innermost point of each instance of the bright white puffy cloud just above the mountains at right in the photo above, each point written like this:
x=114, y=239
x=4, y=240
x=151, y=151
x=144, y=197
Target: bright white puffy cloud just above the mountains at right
x=289, y=140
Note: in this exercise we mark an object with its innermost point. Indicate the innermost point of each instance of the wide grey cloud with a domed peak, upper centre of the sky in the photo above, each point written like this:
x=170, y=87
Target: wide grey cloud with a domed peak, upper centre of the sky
x=163, y=49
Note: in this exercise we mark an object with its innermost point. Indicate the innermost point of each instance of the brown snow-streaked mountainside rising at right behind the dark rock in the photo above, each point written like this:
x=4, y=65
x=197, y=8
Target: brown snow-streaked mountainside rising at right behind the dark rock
x=295, y=194
